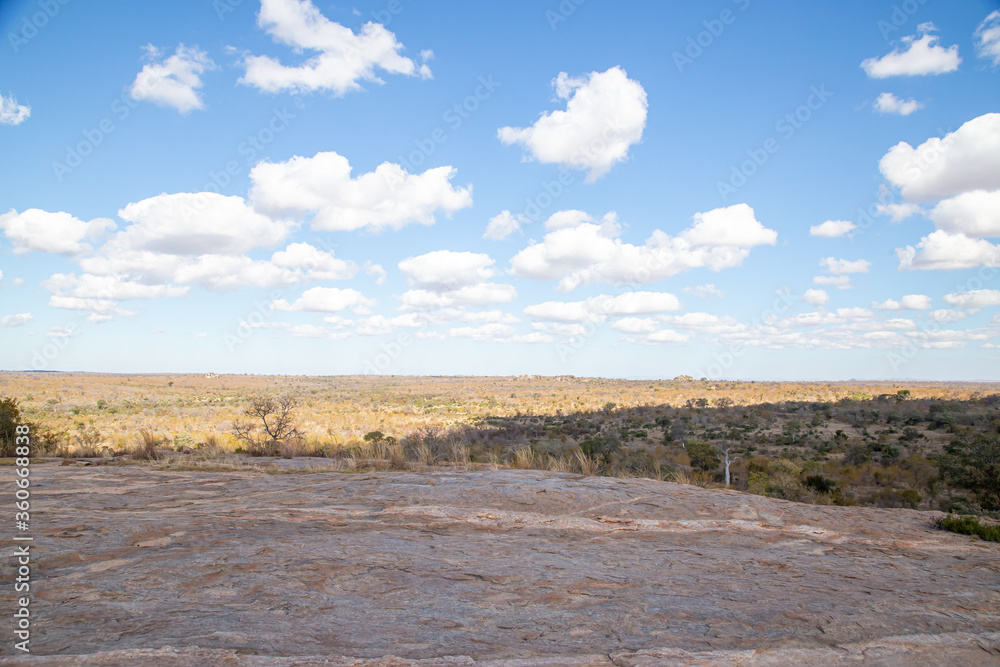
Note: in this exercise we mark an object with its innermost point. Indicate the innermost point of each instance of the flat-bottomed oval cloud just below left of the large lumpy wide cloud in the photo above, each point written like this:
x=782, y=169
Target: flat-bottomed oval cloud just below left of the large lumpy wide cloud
x=196, y=224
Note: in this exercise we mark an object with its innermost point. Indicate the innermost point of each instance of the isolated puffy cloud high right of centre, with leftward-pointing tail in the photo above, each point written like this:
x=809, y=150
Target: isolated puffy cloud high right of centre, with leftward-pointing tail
x=605, y=115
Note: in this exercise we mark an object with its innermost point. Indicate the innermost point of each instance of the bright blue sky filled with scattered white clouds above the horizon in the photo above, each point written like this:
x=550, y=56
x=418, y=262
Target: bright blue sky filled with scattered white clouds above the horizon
x=729, y=189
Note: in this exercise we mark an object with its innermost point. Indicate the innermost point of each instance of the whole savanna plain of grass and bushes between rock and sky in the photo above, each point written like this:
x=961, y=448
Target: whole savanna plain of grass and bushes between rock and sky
x=914, y=445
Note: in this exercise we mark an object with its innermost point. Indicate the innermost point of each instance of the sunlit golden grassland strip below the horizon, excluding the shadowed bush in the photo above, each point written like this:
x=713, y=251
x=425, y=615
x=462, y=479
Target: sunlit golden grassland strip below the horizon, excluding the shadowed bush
x=189, y=408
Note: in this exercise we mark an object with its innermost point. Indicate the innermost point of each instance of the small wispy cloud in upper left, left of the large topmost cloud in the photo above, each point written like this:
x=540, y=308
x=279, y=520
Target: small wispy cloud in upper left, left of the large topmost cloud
x=176, y=82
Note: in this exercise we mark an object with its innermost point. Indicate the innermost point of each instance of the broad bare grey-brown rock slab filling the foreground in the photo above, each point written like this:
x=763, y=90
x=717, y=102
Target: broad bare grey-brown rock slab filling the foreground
x=499, y=568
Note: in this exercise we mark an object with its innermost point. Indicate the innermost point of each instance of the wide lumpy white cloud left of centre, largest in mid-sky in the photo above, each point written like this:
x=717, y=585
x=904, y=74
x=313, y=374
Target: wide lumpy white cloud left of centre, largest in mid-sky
x=388, y=197
